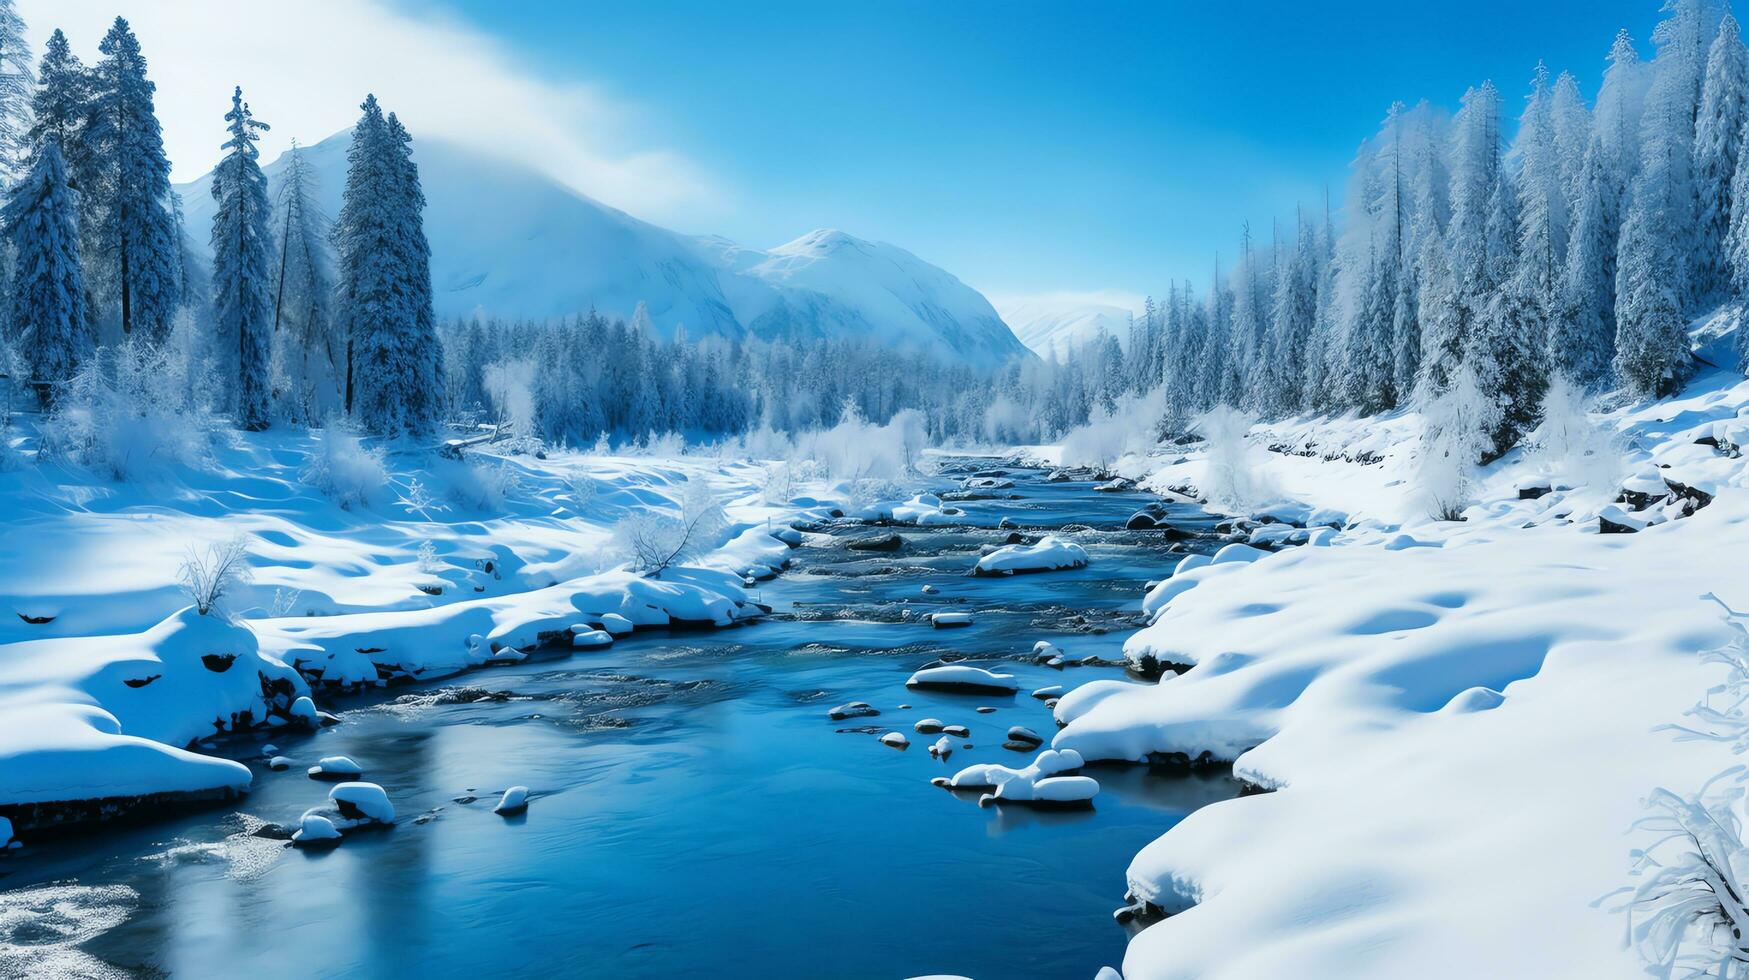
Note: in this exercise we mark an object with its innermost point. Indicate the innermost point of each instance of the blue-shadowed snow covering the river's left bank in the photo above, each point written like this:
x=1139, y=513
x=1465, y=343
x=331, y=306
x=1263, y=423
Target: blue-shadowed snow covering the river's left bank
x=109, y=682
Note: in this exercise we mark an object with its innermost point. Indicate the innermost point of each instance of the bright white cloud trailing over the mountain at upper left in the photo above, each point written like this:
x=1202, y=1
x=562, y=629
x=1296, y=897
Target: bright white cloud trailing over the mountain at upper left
x=305, y=67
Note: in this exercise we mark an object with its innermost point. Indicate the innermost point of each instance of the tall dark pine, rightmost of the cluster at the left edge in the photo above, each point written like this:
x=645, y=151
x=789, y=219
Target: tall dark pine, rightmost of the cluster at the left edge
x=129, y=197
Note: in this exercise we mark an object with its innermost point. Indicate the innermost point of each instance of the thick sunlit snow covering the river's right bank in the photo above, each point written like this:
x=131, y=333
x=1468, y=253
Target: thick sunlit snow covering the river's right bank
x=1458, y=722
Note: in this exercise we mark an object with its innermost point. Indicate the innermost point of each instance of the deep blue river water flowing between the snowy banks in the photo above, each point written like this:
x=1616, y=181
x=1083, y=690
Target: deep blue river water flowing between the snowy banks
x=695, y=813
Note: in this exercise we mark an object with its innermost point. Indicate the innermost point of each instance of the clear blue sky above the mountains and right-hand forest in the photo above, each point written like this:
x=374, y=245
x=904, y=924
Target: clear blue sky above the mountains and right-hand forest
x=1042, y=146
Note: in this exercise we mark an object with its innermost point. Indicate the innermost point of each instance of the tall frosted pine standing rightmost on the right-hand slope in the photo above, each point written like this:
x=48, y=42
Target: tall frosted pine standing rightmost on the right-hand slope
x=1718, y=144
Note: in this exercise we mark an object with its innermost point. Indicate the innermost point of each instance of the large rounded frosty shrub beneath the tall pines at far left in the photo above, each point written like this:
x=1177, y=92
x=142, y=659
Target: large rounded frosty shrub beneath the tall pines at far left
x=130, y=409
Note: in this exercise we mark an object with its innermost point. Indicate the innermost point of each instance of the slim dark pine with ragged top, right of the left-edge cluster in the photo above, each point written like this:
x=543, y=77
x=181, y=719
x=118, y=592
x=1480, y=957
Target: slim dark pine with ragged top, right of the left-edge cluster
x=242, y=262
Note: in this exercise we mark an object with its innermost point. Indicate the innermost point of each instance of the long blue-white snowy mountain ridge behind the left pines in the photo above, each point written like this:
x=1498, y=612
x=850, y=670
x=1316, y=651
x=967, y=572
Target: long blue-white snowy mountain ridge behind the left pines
x=508, y=241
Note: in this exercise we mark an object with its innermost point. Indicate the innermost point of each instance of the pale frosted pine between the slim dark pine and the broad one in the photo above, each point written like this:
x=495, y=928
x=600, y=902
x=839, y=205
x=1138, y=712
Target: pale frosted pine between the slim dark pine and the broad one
x=302, y=293
